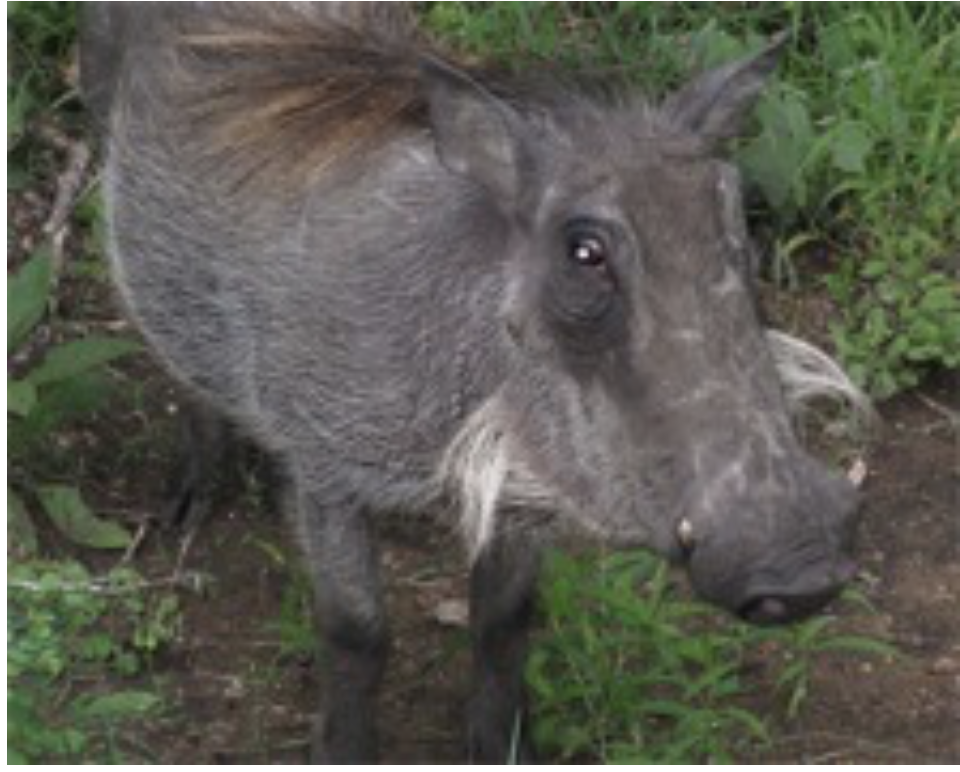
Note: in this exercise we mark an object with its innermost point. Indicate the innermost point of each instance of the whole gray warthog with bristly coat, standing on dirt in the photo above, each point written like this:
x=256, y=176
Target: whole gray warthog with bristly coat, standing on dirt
x=522, y=304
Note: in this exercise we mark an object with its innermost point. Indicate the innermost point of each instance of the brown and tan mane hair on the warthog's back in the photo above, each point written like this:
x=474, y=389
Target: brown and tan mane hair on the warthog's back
x=282, y=92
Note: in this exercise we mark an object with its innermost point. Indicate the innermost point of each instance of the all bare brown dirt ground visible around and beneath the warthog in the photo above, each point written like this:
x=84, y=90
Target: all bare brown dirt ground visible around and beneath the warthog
x=236, y=696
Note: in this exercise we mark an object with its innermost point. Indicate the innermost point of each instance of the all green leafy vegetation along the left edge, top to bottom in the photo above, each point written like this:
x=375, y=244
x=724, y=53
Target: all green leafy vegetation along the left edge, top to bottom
x=79, y=643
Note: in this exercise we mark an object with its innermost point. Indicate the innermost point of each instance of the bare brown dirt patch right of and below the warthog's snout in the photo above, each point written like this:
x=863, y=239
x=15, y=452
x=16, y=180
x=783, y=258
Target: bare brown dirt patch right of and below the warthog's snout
x=907, y=710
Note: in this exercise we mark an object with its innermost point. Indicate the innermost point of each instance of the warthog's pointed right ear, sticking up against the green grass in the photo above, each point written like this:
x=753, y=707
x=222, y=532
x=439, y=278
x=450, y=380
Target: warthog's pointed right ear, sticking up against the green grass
x=715, y=104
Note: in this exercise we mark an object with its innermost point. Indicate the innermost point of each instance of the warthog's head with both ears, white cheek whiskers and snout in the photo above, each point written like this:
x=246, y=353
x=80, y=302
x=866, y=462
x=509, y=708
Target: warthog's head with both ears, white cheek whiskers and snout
x=645, y=402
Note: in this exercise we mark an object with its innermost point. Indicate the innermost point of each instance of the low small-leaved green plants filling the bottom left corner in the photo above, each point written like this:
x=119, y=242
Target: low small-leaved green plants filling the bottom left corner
x=65, y=630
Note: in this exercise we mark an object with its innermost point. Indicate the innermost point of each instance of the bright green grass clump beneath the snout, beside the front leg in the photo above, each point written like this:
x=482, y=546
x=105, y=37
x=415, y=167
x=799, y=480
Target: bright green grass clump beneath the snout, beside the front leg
x=629, y=670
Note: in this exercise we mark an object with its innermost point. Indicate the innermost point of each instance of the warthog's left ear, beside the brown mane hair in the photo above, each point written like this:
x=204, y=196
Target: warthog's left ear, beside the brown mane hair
x=474, y=131
